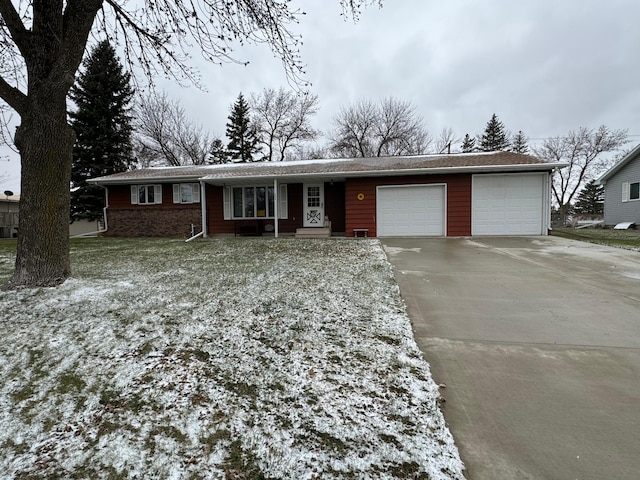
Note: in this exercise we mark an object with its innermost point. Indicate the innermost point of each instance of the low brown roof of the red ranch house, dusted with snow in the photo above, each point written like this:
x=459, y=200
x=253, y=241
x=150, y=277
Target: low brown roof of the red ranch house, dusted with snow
x=338, y=168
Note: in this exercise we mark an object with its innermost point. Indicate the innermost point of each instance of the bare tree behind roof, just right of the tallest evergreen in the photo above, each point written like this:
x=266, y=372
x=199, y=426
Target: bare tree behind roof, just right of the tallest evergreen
x=167, y=136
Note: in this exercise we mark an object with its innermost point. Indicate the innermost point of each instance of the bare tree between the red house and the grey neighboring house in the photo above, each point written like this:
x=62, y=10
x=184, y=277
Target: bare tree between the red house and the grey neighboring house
x=583, y=151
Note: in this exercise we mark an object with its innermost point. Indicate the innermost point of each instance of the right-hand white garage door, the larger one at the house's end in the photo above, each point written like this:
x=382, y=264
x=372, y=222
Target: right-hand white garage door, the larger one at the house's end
x=507, y=205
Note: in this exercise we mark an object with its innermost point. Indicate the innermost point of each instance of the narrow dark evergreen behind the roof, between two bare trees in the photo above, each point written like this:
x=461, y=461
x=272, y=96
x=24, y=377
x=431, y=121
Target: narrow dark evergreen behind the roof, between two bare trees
x=242, y=134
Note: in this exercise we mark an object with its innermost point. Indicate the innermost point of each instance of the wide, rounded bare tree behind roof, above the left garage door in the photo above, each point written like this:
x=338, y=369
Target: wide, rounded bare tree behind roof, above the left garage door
x=367, y=129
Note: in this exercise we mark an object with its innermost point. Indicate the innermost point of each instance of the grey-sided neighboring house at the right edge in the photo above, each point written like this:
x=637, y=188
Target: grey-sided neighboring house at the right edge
x=622, y=190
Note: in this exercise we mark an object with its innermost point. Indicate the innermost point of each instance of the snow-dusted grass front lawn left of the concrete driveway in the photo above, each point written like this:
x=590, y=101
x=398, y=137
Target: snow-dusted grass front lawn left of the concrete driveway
x=225, y=359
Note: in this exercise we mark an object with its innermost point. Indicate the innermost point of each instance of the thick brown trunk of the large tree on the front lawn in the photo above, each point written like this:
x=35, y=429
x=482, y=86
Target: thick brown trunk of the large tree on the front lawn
x=45, y=141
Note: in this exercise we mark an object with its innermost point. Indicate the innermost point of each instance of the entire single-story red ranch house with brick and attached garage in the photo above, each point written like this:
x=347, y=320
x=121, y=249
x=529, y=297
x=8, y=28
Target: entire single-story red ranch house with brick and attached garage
x=497, y=193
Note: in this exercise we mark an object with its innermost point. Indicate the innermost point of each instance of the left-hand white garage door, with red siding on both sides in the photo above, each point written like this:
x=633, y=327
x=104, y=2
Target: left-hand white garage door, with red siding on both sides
x=416, y=210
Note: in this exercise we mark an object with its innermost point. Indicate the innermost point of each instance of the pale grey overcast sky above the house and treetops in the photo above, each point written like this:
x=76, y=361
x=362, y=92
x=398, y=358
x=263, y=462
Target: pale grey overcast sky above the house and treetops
x=543, y=66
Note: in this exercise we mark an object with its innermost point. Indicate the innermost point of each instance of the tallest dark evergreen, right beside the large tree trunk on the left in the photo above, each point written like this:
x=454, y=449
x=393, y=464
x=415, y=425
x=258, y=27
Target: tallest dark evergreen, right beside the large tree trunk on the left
x=102, y=124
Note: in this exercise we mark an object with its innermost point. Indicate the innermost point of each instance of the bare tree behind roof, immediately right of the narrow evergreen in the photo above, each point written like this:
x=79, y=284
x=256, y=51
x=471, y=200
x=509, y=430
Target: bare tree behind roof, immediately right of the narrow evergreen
x=282, y=119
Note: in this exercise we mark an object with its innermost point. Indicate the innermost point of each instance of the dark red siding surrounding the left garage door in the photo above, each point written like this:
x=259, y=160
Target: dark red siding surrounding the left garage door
x=361, y=201
